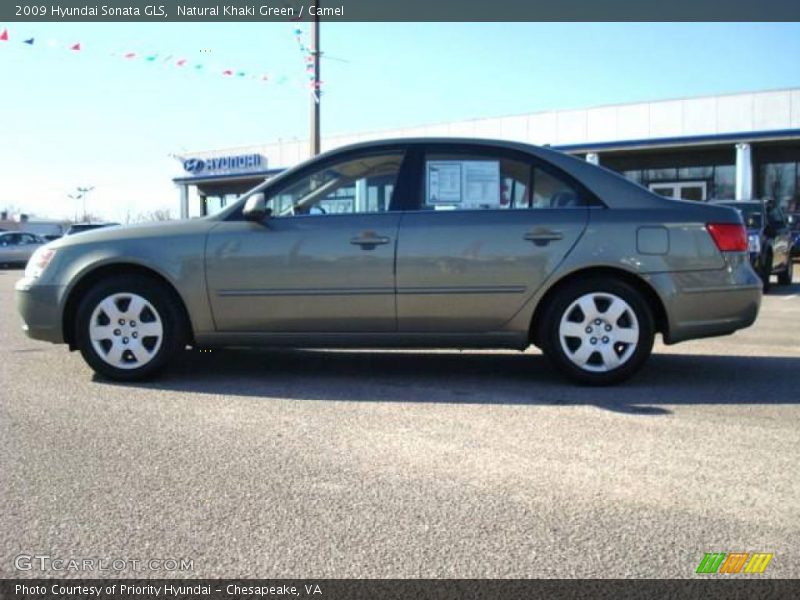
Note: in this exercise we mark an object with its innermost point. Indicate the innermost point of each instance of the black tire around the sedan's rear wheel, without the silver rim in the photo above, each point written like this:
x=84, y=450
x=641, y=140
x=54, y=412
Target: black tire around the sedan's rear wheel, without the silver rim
x=565, y=297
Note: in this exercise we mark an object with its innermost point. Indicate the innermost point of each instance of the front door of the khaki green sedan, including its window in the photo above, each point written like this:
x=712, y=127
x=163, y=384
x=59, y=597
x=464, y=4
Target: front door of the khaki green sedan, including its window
x=323, y=261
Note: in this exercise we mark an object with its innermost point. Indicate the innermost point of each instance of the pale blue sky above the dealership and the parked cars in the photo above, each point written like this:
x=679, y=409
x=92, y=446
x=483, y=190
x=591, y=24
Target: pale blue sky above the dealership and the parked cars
x=92, y=118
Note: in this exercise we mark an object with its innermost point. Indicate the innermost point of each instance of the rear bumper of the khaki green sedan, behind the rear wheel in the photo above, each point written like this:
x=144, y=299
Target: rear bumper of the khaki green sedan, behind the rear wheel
x=710, y=303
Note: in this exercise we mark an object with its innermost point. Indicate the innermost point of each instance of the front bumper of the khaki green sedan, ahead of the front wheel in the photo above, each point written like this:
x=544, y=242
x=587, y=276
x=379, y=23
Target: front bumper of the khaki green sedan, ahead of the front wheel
x=40, y=309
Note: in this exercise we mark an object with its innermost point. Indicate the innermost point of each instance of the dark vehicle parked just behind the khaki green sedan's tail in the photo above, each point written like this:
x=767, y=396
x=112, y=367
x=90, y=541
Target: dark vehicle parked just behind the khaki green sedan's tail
x=769, y=239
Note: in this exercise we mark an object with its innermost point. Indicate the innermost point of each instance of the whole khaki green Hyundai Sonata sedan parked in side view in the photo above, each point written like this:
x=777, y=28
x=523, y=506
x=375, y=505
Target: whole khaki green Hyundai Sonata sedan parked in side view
x=424, y=243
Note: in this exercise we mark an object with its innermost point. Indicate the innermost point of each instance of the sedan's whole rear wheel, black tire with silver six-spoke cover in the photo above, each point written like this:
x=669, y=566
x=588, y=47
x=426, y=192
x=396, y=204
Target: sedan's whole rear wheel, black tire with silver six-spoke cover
x=579, y=331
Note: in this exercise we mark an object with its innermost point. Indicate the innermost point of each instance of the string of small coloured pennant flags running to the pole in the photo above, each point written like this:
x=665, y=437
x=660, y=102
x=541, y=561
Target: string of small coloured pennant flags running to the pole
x=181, y=62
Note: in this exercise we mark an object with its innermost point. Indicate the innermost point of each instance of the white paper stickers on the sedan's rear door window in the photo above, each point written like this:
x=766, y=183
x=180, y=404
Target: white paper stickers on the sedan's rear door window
x=466, y=183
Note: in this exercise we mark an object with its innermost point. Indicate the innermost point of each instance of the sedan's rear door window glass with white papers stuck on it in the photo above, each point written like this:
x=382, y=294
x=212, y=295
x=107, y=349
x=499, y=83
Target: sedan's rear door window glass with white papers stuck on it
x=470, y=182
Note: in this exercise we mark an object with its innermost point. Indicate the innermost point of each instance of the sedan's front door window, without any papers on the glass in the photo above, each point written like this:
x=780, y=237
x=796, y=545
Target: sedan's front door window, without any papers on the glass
x=355, y=186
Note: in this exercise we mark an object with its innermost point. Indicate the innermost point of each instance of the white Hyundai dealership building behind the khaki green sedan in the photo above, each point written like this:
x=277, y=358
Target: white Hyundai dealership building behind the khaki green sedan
x=732, y=146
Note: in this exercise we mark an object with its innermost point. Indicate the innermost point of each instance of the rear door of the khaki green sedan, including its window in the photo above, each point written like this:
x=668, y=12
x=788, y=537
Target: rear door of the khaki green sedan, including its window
x=490, y=226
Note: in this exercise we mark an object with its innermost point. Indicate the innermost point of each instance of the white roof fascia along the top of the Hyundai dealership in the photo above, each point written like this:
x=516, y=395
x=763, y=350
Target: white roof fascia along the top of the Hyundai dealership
x=761, y=111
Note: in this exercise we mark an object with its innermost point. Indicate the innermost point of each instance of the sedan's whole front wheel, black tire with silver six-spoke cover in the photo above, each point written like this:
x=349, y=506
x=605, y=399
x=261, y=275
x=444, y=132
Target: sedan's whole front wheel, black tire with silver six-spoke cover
x=128, y=327
